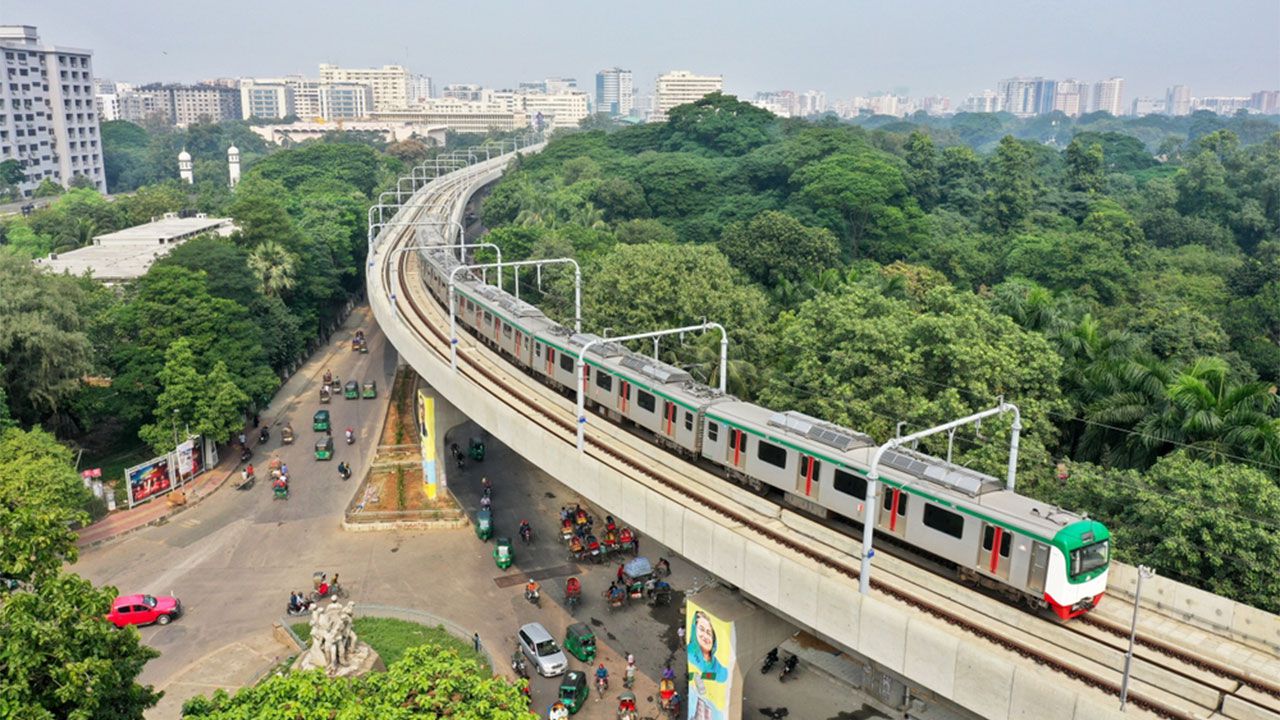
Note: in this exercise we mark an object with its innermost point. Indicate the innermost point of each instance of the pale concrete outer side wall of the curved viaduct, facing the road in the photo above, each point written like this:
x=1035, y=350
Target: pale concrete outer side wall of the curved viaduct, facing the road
x=970, y=672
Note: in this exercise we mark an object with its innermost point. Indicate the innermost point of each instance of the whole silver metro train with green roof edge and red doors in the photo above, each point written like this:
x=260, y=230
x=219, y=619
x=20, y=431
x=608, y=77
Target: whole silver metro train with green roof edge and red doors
x=1034, y=553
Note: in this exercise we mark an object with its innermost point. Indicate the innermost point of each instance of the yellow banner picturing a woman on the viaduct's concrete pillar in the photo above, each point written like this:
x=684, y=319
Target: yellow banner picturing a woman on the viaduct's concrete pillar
x=711, y=663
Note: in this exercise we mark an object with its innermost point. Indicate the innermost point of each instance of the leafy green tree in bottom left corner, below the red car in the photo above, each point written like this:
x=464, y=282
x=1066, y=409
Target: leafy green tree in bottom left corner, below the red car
x=65, y=660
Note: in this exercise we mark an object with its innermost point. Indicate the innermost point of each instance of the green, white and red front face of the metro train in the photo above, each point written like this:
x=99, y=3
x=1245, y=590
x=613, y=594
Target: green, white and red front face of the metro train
x=1078, y=566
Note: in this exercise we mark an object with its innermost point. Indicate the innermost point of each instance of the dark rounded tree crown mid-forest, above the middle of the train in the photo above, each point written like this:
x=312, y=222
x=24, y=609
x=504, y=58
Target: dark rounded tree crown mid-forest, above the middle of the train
x=775, y=247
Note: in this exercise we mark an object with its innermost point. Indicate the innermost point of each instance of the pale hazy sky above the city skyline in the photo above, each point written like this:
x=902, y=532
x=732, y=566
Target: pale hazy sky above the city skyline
x=842, y=47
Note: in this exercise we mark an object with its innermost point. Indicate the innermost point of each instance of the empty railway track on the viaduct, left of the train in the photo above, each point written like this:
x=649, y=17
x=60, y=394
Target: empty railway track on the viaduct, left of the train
x=1168, y=681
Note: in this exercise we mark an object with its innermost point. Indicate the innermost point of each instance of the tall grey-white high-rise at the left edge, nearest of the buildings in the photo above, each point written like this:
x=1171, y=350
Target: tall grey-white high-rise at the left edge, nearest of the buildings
x=49, y=119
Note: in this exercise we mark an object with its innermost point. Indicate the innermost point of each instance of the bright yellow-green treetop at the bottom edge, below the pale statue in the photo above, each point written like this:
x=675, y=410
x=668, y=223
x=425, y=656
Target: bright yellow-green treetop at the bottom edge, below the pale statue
x=427, y=682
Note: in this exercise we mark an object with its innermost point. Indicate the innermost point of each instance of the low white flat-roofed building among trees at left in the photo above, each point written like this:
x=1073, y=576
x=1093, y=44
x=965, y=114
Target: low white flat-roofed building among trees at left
x=125, y=256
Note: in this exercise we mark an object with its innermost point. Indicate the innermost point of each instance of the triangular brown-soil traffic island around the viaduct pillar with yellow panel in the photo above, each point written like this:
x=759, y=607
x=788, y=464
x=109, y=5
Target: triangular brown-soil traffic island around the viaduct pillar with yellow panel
x=392, y=495
